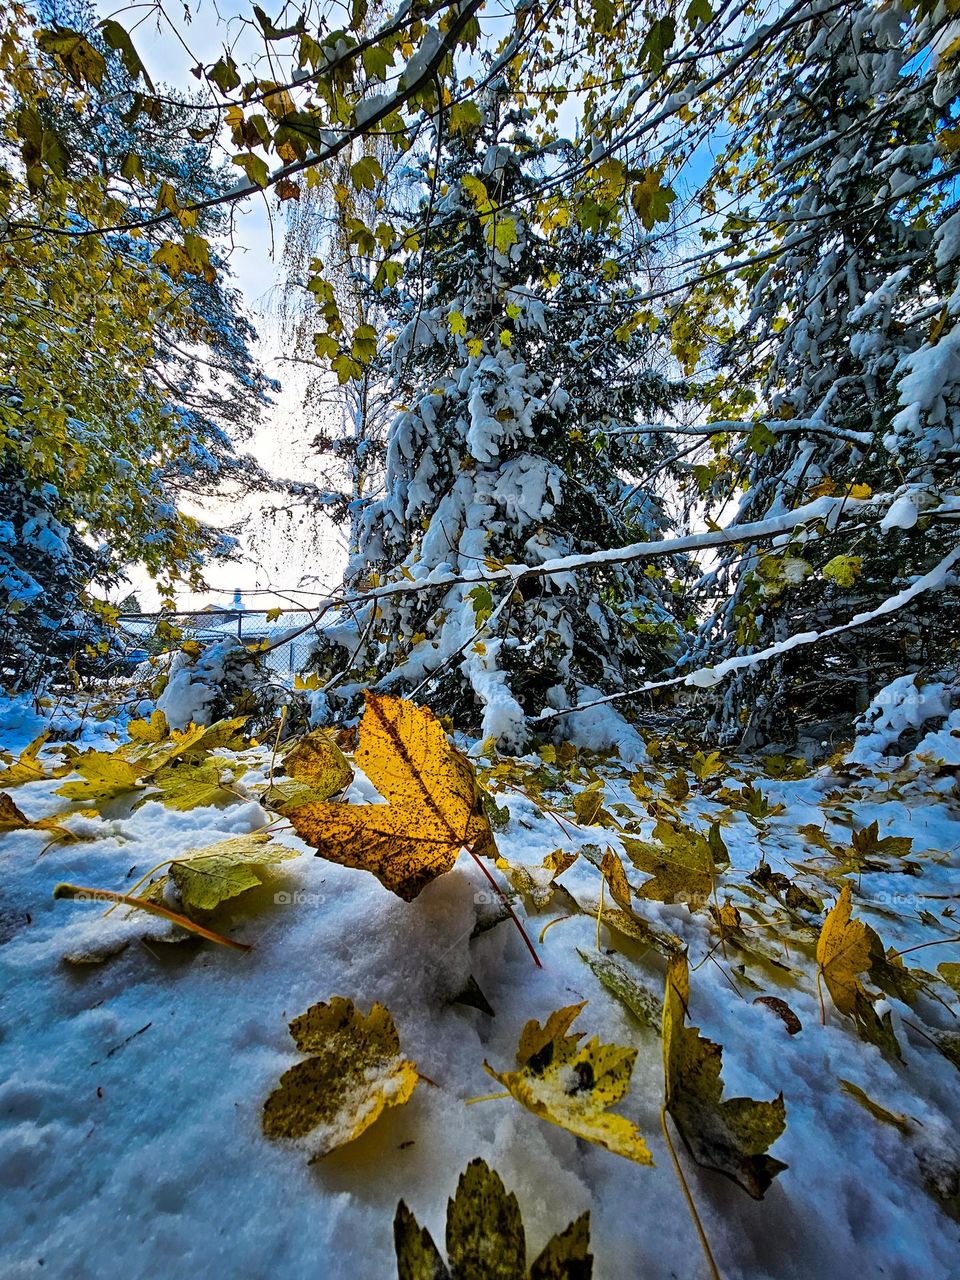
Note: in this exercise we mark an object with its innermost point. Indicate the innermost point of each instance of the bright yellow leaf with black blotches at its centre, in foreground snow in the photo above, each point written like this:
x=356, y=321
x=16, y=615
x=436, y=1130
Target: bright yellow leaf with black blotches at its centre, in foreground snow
x=573, y=1086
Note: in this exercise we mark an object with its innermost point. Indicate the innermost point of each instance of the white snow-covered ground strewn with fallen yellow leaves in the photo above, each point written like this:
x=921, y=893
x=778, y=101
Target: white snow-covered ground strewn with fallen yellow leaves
x=132, y=1090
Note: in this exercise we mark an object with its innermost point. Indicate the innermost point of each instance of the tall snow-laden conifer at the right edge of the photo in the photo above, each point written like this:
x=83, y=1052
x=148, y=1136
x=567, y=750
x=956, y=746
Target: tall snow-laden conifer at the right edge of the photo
x=851, y=341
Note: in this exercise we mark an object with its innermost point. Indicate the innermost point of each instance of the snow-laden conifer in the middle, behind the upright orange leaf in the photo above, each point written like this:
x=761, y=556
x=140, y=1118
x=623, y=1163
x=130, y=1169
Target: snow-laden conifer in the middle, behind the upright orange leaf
x=511, y=374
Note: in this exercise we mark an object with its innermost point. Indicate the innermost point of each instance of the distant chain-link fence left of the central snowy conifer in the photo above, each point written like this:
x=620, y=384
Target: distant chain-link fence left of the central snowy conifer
x=150, y=633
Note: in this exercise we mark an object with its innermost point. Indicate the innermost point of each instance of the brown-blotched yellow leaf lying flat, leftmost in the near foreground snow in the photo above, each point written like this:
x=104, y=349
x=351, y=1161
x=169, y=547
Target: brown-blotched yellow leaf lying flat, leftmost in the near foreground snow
x=355, y=1072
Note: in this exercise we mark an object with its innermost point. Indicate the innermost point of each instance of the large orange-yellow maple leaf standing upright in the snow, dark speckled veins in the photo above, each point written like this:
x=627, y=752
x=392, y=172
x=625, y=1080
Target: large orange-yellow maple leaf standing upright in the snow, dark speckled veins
x=432, y=808
